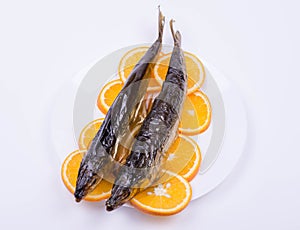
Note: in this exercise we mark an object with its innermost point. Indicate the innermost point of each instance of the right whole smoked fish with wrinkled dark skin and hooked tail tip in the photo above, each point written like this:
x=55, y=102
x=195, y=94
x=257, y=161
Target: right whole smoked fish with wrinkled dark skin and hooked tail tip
x=158, y=131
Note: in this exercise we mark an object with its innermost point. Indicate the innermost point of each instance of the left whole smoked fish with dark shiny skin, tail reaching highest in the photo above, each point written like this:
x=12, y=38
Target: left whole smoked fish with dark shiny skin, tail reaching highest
x=115, y=125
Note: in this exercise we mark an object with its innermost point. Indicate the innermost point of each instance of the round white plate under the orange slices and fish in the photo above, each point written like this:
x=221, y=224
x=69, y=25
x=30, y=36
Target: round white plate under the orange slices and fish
x=75, y=106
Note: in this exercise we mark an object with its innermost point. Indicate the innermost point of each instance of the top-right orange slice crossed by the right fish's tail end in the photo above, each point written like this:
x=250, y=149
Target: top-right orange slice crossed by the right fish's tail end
x=194, y=68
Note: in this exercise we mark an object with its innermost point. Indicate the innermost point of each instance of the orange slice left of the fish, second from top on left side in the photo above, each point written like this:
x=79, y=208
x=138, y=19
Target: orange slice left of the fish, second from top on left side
x=108, y=94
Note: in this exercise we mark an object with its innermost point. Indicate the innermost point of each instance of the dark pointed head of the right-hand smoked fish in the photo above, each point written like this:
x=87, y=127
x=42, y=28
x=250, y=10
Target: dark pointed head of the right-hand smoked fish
x=120, y=195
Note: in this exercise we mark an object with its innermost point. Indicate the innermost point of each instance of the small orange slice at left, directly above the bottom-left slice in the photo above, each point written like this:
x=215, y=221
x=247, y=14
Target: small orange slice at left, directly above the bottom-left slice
x=88, y=133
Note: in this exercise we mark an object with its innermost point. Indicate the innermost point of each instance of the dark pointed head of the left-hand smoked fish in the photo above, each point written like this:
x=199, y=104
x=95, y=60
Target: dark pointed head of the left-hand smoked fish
x=86, y=182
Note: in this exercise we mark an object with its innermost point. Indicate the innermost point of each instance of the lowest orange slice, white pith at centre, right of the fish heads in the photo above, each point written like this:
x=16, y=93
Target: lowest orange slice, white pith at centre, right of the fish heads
x=166, y=198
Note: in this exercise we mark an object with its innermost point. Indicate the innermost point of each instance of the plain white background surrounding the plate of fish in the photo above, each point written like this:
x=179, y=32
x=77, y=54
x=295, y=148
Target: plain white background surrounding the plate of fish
x=255, y=43
